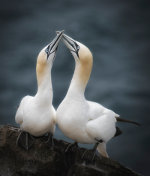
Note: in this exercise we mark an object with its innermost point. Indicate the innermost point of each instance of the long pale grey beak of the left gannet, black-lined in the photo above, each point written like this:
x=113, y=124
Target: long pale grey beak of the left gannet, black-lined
x=52, y=47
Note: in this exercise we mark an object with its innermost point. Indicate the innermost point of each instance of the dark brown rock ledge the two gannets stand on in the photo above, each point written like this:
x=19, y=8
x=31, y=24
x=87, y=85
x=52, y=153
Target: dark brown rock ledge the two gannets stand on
x=43, y=160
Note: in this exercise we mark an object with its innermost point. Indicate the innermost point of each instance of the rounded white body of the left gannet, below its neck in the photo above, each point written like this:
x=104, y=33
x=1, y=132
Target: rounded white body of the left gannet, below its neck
x=36, y=117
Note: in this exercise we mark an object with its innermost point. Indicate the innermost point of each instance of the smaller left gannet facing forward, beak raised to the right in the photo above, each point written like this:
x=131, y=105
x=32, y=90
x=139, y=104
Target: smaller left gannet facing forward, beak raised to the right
x=36, y=114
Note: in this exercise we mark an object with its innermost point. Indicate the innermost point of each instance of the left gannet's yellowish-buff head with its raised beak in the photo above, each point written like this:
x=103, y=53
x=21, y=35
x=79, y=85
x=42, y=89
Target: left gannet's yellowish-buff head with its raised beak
x=46, y=57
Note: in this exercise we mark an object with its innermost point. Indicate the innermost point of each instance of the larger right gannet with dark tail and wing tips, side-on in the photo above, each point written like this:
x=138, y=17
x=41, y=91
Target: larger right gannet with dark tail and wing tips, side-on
x=79, y=119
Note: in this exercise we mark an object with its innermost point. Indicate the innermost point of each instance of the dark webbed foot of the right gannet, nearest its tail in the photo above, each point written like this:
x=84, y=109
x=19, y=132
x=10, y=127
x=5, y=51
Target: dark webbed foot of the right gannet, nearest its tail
x=90, y=154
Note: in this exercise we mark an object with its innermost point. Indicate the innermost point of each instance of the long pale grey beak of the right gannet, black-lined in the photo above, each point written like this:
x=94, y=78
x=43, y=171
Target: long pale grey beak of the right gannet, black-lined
x=70, y=43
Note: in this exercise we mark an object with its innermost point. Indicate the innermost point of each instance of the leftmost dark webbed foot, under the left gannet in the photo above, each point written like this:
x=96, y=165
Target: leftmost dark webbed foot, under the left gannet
x=25, y=140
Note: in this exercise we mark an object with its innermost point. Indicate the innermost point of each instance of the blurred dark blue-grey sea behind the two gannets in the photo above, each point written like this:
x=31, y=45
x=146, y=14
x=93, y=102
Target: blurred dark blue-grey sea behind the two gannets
x=118, y=34
